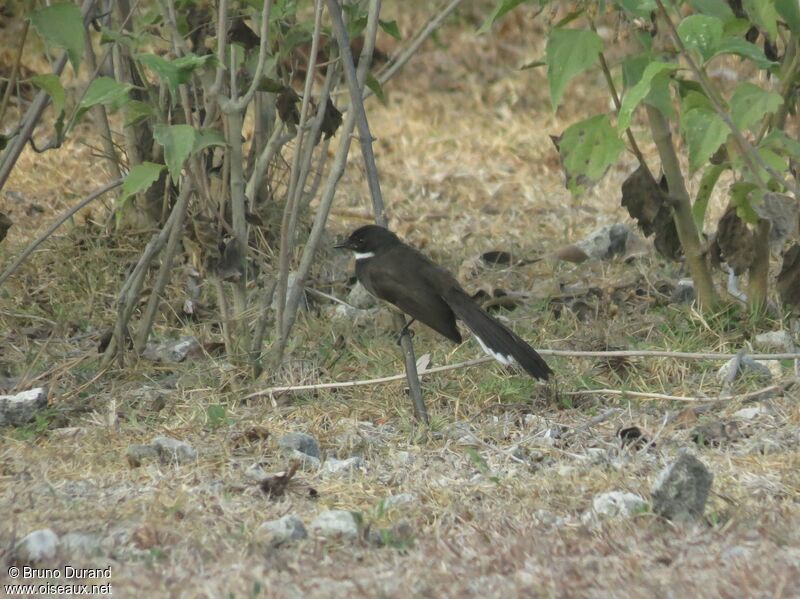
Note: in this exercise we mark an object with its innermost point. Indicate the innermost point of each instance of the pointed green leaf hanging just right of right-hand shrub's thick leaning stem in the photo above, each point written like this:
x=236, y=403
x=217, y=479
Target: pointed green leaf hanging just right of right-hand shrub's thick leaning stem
x=702, y=129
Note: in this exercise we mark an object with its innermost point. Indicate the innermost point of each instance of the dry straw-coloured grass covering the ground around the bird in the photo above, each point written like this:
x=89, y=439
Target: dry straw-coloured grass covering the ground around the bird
x=466, y=167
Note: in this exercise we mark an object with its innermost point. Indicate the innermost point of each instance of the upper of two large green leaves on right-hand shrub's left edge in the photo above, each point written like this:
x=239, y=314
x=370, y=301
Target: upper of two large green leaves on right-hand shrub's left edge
x=569, y=52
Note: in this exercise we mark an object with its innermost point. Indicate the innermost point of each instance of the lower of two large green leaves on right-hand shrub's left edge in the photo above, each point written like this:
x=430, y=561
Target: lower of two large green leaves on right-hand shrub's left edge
x=588, y=149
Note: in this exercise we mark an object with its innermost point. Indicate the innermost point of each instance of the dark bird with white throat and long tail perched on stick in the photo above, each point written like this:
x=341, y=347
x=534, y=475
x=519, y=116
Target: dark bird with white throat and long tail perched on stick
x=401, y=275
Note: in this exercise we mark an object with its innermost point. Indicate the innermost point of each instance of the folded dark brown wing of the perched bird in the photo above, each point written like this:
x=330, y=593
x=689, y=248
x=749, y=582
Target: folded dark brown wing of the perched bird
x=405, y=289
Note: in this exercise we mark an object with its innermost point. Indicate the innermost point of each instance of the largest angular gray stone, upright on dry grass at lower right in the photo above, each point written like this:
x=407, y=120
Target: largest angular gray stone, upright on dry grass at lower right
x=681, y=489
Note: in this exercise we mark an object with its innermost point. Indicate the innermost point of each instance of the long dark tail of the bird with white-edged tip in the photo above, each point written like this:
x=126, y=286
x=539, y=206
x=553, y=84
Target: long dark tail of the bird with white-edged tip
x=498, y=341
